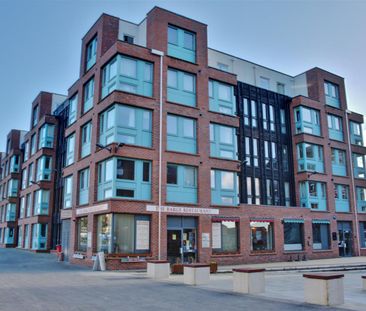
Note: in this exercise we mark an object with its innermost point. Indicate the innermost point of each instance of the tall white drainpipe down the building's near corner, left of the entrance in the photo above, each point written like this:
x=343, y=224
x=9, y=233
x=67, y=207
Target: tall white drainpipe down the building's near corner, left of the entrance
x=161, y=54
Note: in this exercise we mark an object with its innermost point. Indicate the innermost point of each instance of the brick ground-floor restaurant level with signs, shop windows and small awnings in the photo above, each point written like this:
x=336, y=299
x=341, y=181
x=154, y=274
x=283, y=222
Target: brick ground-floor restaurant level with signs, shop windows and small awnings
x=247, y=234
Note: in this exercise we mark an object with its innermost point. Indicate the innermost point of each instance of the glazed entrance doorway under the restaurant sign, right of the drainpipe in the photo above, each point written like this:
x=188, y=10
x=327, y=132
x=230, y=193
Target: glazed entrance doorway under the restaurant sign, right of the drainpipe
x=181, y=239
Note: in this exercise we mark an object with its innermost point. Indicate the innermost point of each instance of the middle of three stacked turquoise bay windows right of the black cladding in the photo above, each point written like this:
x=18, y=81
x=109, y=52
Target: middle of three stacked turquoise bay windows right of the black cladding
x=310, y=158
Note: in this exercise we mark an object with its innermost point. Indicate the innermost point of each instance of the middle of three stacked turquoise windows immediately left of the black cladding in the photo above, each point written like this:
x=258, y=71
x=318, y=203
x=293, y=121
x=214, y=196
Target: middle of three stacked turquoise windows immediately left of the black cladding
x=223, y=141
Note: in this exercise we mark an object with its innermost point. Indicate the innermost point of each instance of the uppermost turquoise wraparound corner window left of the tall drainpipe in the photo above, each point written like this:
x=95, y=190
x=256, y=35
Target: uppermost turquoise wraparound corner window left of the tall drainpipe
x=127, y=74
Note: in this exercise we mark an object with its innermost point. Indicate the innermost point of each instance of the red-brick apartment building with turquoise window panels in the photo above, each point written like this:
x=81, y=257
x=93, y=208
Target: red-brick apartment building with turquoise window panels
x=172, y=150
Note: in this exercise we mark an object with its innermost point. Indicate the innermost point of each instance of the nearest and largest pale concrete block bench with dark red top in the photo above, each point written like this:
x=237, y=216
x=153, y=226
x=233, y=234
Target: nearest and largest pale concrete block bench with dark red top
x=324, y=289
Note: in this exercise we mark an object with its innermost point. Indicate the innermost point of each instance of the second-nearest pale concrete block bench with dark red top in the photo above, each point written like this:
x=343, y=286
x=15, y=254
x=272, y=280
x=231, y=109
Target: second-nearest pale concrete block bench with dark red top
x=248, y=281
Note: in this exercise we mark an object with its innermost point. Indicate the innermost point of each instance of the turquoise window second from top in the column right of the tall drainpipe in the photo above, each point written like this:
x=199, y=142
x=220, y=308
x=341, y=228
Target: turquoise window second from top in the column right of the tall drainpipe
x=181, y=87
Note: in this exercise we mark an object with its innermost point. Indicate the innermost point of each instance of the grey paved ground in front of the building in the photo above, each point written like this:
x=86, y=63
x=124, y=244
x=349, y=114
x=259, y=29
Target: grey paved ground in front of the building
x=36, y=282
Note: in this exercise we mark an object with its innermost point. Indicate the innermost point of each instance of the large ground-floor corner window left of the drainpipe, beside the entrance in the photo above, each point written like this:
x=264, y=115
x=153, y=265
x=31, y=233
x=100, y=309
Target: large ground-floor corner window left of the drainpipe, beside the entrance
x=131, y=234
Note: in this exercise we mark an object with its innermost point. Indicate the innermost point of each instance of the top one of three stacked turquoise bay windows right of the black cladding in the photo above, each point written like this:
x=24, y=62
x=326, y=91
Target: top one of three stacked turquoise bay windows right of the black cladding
x=307, y=121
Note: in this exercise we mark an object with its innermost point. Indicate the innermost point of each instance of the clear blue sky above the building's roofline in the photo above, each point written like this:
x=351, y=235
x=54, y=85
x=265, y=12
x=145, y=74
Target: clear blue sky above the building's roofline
x=40, y=41
